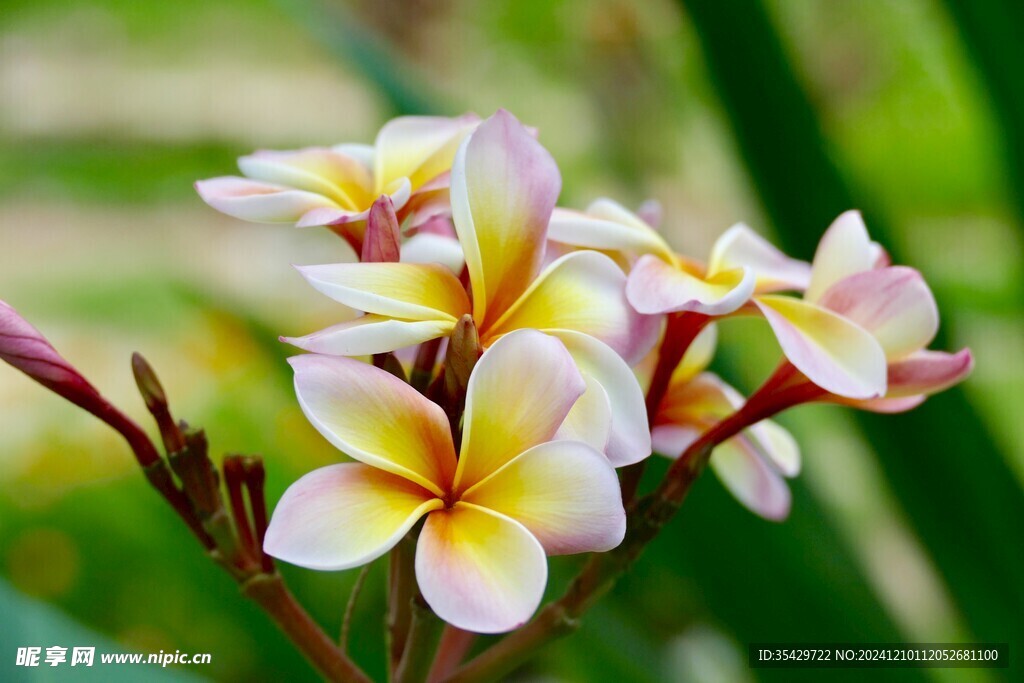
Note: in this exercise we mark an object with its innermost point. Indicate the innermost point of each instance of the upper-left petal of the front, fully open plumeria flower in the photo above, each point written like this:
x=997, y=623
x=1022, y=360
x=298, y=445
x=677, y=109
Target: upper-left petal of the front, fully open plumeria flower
x=376, y=418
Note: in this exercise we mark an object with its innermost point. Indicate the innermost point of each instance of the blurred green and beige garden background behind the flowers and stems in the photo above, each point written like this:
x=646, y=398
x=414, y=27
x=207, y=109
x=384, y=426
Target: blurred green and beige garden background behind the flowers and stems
x=778, y=113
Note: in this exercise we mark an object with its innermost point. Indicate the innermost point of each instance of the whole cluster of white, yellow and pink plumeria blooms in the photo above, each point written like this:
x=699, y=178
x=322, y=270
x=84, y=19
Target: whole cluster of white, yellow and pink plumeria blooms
x=593, y=336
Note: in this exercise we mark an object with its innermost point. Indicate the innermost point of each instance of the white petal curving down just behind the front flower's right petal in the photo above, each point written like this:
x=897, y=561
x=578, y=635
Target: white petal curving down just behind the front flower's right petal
x=628, y=434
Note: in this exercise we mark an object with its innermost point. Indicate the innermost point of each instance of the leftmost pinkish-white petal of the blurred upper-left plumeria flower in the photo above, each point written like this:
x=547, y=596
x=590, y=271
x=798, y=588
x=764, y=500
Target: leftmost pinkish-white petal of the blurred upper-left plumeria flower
x=261, y=202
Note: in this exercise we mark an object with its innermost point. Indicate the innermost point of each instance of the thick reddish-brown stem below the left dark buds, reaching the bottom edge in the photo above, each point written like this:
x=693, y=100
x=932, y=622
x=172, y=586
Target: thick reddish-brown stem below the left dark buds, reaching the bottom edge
x=270, y=592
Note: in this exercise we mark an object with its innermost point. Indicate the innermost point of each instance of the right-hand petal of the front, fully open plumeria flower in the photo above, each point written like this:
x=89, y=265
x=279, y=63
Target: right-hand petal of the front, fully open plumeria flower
x=565, y=493
